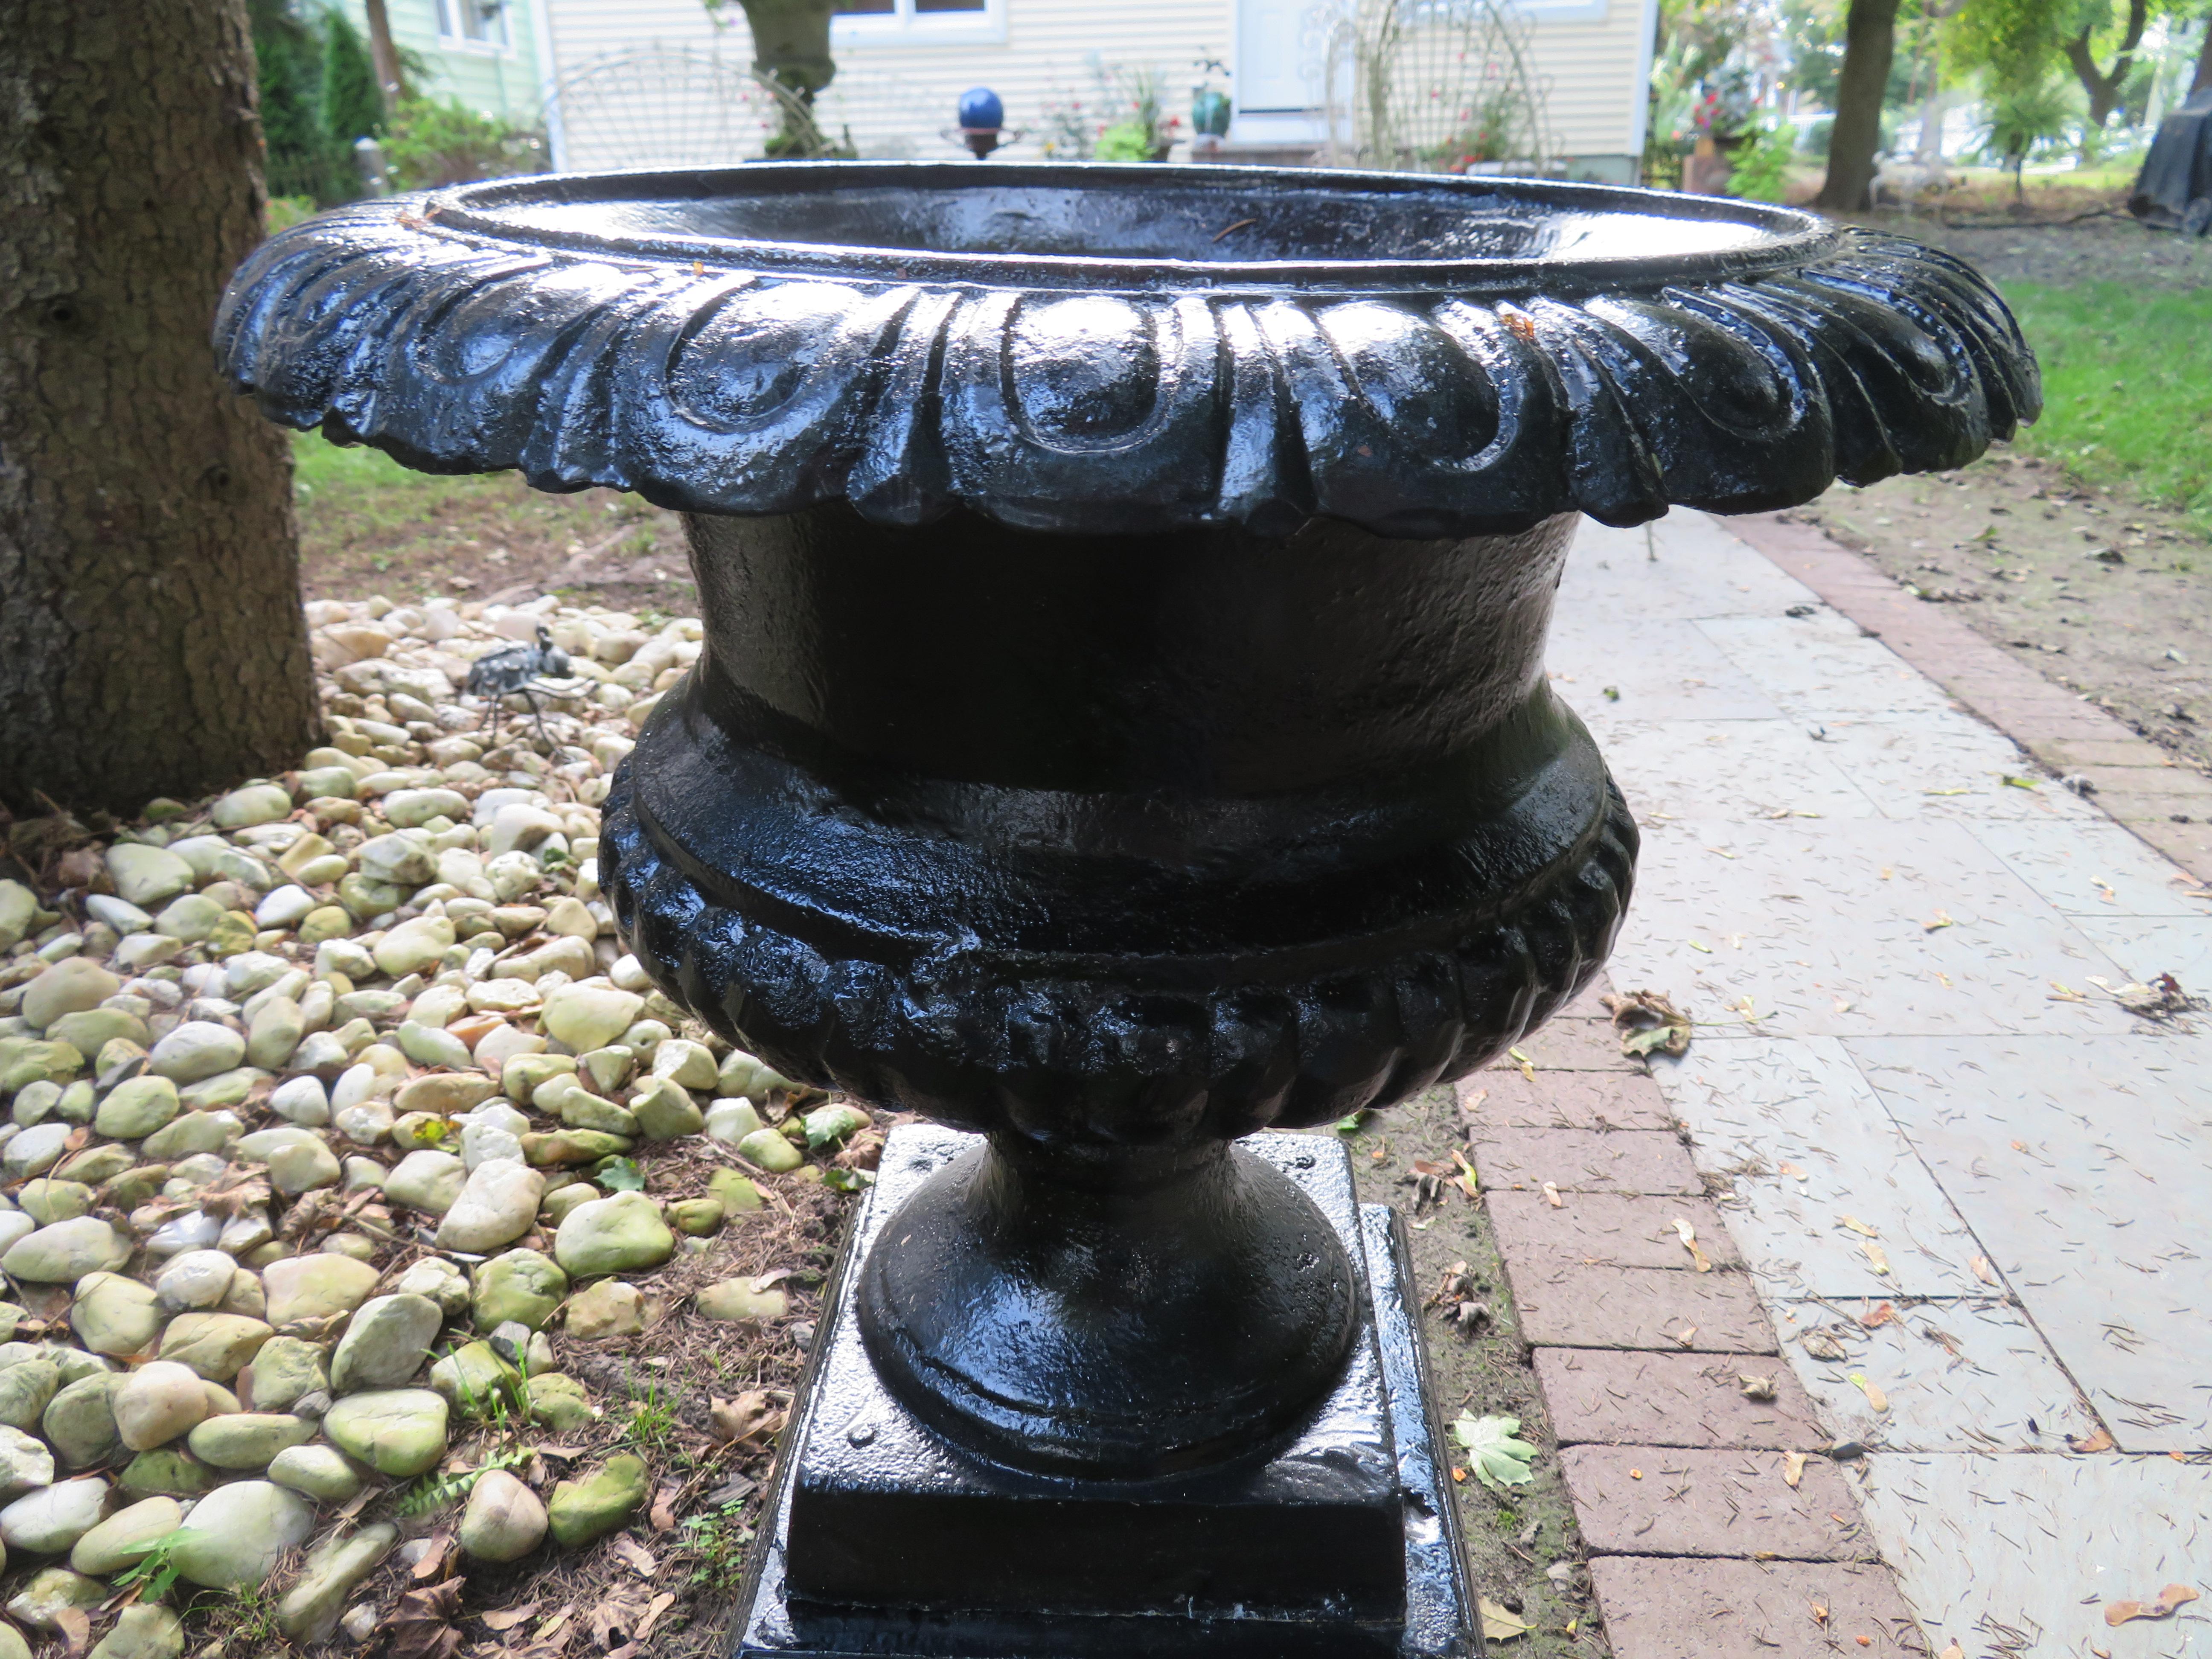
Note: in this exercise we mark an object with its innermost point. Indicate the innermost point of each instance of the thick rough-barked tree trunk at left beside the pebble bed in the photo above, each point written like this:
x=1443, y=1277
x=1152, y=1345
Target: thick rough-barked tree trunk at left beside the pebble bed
x=152, y=636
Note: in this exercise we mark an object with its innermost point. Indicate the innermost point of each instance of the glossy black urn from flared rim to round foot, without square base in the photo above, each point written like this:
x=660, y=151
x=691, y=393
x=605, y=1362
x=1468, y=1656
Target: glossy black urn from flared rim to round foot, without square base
x=1123, y=722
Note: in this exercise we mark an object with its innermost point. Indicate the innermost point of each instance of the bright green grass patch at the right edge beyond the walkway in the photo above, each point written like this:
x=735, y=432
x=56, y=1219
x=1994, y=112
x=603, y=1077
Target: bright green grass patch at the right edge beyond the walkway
x=2127, y=388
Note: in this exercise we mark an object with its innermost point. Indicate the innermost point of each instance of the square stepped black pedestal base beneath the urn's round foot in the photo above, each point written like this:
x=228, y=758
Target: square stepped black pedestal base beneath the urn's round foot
x=1339, y=1543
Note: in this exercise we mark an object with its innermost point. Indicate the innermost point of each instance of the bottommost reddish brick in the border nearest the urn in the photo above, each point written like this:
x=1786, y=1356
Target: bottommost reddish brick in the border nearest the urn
x=1689, y=1609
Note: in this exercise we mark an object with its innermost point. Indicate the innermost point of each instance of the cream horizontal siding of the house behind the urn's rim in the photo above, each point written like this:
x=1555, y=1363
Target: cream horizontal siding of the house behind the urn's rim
x=658, y=83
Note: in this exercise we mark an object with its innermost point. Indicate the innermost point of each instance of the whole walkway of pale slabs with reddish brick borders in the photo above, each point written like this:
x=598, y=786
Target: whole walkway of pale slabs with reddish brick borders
x=1954, y=1204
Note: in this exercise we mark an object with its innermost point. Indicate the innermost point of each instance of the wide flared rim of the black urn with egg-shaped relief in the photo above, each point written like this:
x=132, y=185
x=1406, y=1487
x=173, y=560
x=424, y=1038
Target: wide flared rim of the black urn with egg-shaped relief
x=1085, y=351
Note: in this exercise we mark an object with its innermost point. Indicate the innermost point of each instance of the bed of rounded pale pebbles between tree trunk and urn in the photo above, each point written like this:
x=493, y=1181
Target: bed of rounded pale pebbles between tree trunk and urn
x=328, y=1100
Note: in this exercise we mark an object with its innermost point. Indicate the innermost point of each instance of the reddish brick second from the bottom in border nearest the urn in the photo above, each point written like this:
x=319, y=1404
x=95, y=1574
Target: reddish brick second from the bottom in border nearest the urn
x=1673, y=1501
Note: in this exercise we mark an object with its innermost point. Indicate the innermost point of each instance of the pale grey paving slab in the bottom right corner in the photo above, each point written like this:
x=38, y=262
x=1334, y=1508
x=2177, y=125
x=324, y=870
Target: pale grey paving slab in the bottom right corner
x=2021, y=1554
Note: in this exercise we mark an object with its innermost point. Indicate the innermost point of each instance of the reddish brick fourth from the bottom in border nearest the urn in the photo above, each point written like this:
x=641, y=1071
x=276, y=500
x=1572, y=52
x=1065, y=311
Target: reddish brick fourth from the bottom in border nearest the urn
x=1572, y=1306
